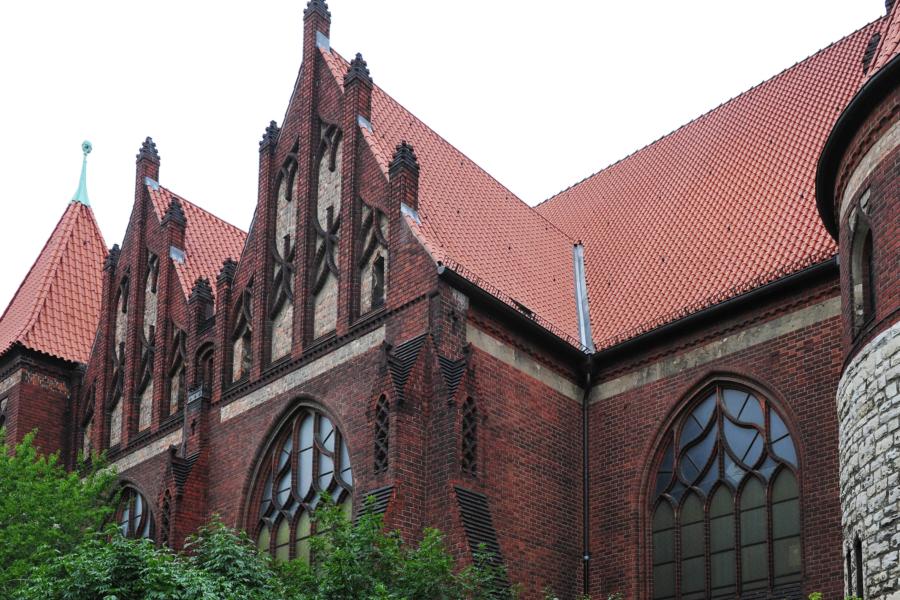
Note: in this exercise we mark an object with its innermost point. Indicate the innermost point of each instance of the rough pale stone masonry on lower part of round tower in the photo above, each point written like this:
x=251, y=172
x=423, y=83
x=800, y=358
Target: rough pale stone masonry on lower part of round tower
x=869, y=421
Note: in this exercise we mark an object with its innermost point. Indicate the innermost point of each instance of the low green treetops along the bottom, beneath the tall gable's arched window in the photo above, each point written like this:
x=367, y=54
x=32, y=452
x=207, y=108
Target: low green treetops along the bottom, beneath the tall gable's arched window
x=352, y=561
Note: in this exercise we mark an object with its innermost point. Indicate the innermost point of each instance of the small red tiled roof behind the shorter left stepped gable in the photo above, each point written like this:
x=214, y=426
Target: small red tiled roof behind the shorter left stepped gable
x=208, y=240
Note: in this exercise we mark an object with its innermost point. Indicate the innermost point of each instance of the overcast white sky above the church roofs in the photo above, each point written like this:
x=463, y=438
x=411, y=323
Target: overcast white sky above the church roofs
x=540, y=94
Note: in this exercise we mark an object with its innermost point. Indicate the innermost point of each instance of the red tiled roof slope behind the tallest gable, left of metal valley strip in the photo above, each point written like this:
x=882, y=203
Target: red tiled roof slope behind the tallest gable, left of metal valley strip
x=473, y=224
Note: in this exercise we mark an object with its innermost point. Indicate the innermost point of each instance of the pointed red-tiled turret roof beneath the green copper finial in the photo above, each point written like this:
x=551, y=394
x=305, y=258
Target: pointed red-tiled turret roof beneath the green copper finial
x=57, y=307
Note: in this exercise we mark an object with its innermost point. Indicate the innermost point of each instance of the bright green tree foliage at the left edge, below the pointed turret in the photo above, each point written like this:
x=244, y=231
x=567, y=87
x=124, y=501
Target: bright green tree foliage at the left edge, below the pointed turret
x=44, y=509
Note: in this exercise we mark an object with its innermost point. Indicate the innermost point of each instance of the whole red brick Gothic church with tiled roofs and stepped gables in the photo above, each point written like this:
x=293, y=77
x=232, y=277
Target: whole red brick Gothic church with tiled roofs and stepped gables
x=676, y=379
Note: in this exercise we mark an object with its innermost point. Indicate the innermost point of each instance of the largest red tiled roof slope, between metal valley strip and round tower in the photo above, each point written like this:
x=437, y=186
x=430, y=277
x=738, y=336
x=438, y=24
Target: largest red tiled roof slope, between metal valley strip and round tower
x=722, y=205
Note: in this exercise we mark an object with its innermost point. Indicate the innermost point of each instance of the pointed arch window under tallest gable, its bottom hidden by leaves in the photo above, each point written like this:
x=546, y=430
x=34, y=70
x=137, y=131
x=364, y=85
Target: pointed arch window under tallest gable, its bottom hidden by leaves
x=307, y=458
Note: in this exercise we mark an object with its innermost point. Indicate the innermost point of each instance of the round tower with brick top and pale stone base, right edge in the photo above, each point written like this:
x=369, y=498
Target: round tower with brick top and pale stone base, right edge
x=858, y=196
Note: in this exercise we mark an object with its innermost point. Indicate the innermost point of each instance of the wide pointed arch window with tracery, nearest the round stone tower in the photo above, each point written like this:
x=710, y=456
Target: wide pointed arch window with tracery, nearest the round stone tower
x=725, y=507
